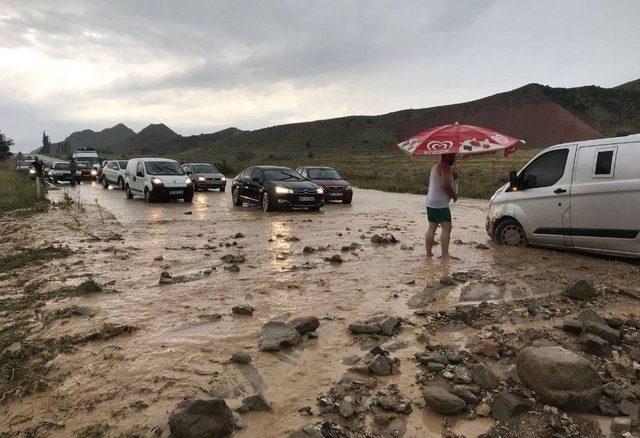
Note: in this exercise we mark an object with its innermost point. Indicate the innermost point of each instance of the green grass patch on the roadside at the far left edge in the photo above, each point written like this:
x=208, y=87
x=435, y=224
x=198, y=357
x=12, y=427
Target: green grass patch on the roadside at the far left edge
x=17, y=191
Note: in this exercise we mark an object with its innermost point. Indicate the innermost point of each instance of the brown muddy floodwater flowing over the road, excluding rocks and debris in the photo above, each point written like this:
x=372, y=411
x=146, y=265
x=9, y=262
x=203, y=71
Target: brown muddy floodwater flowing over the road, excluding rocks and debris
x=180, y=350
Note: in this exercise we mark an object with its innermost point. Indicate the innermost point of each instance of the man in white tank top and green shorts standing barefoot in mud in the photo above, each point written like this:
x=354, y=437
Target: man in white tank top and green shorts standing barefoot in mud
x=441, y=191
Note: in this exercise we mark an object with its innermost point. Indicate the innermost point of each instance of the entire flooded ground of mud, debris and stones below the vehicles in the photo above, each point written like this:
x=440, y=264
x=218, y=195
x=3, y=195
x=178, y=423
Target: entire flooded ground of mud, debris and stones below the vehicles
x=134, y=308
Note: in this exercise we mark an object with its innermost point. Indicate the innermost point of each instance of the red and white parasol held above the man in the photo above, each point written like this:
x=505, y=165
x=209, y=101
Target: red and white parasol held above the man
x=466, y=141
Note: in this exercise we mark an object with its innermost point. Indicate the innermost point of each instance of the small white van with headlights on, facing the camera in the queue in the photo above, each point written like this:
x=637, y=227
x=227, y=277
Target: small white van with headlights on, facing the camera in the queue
x=157, y=179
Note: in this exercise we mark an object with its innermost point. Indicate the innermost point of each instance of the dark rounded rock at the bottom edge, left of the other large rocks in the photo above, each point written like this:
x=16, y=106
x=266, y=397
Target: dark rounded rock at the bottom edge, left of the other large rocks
x=201, y=419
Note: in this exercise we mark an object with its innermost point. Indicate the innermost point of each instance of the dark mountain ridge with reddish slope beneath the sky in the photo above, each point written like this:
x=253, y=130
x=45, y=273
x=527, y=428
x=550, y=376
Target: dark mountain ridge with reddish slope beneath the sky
x=539, y=114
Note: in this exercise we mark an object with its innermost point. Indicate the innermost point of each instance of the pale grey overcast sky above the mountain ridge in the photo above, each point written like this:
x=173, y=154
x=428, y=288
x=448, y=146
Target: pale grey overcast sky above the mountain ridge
x=201, y=66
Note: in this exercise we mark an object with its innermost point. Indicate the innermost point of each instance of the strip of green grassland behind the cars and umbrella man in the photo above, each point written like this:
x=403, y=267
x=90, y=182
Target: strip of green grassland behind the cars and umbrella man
x=377, y=168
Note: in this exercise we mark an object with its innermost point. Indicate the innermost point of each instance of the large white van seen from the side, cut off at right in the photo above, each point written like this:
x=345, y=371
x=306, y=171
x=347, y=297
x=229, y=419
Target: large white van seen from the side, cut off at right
x=583, y=195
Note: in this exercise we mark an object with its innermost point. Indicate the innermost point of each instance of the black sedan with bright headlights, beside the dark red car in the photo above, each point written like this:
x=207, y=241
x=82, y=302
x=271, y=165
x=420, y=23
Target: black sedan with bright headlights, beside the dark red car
x=272, y=187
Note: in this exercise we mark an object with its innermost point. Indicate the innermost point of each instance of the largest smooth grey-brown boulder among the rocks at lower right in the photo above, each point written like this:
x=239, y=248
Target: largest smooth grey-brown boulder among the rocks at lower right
x=560, y=377
